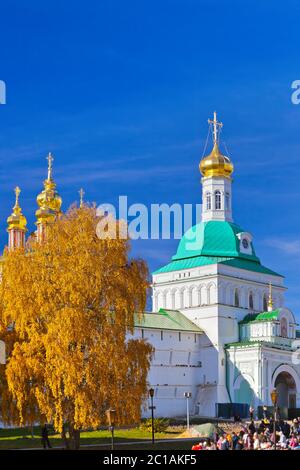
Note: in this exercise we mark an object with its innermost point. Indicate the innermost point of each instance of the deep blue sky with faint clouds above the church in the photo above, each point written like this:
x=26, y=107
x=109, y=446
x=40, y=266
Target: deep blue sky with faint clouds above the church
x=120, y=92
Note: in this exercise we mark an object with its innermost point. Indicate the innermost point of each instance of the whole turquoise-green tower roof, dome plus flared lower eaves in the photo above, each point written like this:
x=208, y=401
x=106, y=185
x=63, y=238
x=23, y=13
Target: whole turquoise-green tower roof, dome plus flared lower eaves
x=213, y=242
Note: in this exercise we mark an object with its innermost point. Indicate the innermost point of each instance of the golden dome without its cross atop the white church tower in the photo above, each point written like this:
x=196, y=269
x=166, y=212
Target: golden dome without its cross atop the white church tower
x=216, y=164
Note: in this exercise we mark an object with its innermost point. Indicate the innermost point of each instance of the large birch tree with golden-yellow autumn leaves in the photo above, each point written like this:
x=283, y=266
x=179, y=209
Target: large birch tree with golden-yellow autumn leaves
x=67, y=310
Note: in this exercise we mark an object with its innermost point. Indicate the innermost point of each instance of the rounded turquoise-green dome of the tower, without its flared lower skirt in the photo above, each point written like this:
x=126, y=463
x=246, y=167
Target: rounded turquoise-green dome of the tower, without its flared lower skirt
x=212, y=238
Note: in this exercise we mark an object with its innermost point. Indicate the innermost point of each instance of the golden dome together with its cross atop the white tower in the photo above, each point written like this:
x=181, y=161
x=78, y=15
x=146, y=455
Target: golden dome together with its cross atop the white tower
x=216, y=164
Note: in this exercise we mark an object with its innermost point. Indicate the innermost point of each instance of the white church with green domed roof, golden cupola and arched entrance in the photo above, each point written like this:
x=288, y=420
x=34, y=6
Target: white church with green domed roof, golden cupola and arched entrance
x=220, y=327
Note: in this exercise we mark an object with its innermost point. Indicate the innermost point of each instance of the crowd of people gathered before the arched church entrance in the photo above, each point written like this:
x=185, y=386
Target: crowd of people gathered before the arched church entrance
x=257, y=435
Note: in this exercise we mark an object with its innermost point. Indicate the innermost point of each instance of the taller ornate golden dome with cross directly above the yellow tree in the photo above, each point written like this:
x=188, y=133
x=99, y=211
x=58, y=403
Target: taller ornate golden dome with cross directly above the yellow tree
x=49, y=201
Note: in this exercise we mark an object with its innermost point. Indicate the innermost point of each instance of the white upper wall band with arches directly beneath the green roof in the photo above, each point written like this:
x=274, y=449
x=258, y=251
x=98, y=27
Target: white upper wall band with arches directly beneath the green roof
x=208, y=285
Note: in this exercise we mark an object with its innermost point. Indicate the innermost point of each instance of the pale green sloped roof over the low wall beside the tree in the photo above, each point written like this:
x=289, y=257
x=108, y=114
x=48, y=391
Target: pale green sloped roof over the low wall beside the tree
x=166, y=320
